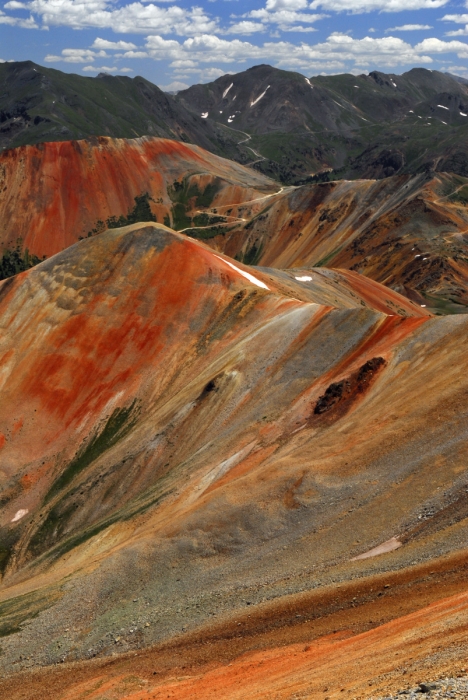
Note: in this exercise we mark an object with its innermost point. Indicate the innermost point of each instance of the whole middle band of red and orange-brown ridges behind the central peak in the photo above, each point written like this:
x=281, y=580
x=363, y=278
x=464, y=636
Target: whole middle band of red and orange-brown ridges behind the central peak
x=407, y=232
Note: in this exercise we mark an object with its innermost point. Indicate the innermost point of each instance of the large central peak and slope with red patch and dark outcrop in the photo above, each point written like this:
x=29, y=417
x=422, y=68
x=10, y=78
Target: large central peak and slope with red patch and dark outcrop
x=182, y=438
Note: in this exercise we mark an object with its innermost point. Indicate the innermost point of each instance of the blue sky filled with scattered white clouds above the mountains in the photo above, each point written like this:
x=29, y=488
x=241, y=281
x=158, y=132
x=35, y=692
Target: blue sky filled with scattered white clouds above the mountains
x=175, y=43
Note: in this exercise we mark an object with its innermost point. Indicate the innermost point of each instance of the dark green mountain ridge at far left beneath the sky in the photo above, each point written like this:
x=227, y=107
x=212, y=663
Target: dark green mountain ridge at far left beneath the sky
x=42, y=104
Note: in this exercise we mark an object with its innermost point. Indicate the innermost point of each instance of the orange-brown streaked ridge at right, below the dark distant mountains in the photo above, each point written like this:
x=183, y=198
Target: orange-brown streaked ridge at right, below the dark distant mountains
x=407, y=232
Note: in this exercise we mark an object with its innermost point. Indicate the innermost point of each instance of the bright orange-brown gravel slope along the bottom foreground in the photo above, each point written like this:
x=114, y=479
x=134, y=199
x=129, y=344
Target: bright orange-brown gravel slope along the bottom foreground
x=364, y=639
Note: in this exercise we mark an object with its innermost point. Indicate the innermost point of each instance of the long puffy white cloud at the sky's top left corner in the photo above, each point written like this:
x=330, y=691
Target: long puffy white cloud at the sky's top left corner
x=135, y=17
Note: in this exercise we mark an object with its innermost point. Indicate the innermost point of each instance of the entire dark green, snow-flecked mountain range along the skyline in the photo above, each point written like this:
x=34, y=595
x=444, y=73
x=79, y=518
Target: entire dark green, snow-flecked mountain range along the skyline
x=284, y=124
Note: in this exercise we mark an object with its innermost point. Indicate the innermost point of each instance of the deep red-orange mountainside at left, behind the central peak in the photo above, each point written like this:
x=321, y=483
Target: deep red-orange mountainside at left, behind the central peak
x=53, y=193
